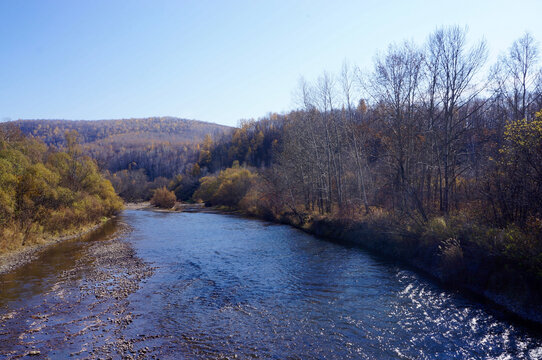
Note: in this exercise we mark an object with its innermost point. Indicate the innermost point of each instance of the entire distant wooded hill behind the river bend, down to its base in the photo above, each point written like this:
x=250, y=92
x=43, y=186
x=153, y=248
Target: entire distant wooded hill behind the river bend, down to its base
x=136, y=155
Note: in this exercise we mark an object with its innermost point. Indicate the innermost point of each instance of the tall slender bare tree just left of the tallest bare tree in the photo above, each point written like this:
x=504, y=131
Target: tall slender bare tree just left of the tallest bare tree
x=395, y=87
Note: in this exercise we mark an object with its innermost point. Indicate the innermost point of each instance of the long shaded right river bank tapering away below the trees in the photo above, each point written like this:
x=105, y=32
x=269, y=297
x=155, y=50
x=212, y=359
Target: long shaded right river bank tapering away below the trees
x=463, y=262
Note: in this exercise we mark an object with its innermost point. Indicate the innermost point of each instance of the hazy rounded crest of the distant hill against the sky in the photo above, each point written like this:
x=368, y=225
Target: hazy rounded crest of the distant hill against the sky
x=126, y=131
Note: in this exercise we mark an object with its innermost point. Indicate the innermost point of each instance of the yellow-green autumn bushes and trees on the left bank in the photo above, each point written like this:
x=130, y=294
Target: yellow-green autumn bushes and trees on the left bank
x=47, y=193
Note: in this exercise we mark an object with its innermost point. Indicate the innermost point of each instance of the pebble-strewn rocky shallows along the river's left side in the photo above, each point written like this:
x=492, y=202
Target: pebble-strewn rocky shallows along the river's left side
x=86, y=309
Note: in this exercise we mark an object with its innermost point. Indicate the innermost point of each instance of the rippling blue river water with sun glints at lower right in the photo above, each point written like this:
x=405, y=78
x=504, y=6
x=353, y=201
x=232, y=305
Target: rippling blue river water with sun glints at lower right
x=226, y=287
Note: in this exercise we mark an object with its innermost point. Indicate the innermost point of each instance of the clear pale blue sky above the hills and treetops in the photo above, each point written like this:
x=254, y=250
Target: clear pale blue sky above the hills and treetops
x=216, y=61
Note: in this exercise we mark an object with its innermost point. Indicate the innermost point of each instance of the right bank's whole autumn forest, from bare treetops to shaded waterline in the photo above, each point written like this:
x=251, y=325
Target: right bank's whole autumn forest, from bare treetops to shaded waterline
x=437, y=163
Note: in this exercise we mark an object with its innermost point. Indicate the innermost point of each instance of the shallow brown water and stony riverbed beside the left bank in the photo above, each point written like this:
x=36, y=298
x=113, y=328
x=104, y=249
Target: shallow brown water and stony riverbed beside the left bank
x=75, y=300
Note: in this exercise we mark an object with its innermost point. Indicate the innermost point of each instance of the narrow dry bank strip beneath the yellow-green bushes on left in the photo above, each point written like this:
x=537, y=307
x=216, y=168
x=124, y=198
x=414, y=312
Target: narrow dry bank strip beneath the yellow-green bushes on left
x=12, y=260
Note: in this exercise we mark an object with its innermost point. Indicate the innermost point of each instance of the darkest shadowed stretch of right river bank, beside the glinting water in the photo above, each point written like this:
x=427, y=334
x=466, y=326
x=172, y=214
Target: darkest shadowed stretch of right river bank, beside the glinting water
x=476, y=271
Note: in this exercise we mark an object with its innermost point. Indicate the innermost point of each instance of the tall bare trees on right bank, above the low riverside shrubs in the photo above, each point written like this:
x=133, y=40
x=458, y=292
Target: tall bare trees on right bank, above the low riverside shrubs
x=428, y=131
